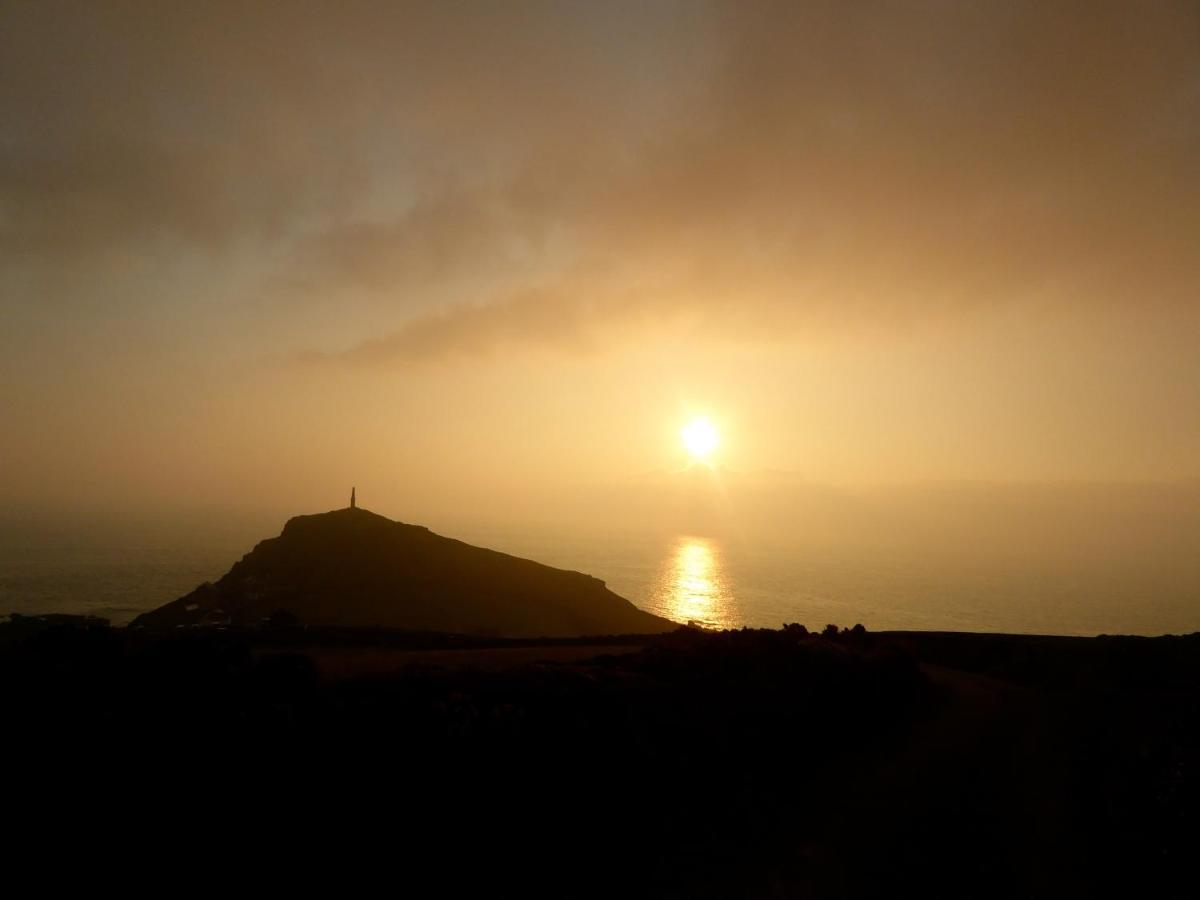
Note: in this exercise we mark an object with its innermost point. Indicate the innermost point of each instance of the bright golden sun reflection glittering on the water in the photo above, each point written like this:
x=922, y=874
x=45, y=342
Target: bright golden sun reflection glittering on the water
x=694, y=586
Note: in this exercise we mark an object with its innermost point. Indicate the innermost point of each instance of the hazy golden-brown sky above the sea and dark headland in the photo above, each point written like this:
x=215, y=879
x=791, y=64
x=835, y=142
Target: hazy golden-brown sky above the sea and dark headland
x=253, y=254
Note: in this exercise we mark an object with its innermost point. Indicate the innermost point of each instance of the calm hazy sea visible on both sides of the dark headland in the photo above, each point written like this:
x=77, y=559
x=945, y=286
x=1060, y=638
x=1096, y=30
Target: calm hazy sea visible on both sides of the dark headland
x=685, y=578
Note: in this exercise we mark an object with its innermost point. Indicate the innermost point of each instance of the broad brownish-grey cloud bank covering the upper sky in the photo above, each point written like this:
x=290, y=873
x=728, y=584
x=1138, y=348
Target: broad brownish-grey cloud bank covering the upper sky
x=566, y=176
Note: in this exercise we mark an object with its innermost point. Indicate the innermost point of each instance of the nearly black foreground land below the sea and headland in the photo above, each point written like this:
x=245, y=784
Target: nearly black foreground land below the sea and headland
x=745, y=764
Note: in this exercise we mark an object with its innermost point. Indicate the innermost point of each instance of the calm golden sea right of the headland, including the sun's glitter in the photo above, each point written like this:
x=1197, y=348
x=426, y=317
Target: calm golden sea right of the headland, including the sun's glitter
x=727, y=584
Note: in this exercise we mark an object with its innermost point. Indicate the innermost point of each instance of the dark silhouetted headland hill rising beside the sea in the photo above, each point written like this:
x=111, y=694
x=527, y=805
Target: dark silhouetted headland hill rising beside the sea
x=358, y=569
